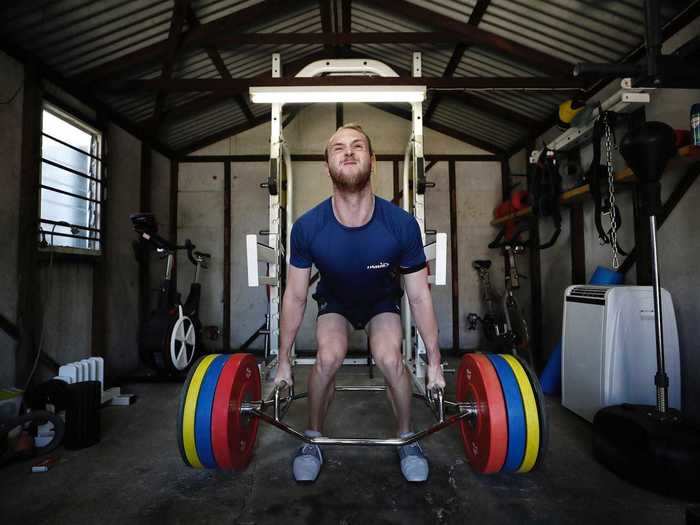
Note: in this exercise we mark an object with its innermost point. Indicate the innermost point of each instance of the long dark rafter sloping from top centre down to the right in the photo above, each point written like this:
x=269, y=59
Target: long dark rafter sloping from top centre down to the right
x=473, y=35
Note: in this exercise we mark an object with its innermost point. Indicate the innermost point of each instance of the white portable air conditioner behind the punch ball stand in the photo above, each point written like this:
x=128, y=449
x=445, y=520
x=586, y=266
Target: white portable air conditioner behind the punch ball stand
x=609, y=348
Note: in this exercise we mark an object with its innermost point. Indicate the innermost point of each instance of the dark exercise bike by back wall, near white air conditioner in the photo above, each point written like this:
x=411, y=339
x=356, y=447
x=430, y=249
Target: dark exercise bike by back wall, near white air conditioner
x=503, y=324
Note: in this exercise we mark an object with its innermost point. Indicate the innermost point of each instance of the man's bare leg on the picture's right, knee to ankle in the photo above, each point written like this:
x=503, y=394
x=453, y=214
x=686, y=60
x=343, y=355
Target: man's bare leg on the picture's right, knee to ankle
x=385, y=337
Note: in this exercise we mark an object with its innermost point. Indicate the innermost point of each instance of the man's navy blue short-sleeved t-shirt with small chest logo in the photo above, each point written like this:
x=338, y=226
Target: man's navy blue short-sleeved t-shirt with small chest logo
x=358, y=266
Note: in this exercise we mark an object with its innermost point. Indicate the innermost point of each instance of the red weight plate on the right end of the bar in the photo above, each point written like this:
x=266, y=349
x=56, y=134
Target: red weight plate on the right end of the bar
x=485, y=436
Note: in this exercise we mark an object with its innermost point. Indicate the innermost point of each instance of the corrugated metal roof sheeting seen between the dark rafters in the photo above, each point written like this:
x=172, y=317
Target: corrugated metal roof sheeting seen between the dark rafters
x=75, y=36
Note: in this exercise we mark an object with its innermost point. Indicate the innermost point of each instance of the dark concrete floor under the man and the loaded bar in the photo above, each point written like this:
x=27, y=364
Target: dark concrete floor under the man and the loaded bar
x=135, y=475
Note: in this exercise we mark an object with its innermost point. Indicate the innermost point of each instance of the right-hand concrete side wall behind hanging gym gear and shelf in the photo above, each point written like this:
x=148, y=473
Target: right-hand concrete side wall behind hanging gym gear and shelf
x=677, y=239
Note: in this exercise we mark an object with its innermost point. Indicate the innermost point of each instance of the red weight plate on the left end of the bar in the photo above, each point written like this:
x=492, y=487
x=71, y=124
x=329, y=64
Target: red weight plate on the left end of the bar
x=232, y=434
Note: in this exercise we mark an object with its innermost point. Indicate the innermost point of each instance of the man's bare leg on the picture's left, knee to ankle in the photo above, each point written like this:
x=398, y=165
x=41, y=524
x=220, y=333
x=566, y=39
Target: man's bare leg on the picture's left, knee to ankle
x=332, y=341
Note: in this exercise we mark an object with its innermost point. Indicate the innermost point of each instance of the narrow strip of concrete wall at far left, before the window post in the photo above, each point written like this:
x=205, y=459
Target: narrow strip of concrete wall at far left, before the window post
x=11, y=79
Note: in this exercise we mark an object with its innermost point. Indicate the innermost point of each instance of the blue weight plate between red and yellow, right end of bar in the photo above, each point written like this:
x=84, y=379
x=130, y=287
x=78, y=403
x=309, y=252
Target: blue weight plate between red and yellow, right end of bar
x=517, y=429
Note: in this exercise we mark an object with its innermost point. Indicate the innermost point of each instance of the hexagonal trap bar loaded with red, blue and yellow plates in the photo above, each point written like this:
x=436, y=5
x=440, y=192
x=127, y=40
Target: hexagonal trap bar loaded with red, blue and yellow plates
x=499, y=408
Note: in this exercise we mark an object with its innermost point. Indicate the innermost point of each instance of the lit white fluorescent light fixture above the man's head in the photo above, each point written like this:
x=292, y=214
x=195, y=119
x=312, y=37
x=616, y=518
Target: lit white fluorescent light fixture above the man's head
x=330, y=94
